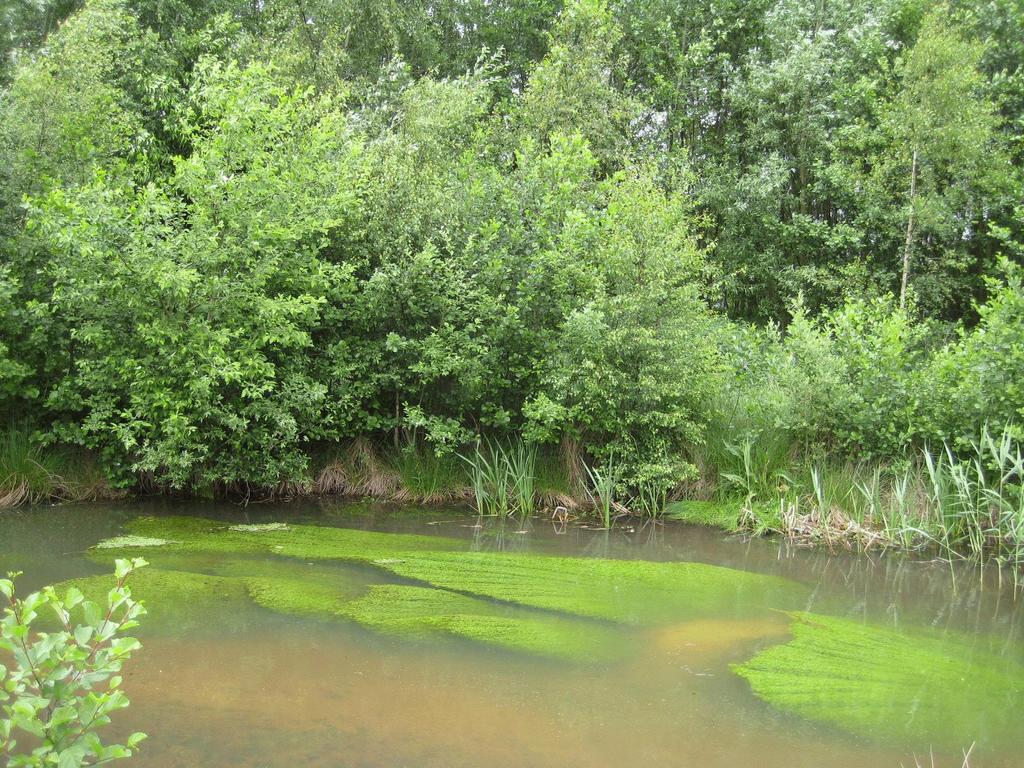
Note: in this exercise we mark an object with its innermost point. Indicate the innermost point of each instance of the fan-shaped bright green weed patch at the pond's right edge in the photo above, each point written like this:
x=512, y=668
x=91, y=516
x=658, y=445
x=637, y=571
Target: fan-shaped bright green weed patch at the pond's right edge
x=882, y=685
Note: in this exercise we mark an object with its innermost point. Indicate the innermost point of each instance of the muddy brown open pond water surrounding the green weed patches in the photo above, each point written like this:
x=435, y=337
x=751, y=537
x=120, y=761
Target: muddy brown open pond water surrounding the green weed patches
x=265, y=690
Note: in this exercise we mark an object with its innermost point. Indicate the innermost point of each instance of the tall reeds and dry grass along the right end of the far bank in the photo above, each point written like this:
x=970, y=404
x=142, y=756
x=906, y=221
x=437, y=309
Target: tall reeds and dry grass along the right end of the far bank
x=967, y=502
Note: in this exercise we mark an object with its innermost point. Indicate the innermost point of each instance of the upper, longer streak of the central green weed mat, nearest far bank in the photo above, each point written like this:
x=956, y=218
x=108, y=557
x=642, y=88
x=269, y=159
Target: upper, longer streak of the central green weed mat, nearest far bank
x=626, y=591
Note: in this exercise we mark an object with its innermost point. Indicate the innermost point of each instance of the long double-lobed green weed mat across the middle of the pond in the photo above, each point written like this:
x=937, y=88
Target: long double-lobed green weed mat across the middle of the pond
x=557, y=607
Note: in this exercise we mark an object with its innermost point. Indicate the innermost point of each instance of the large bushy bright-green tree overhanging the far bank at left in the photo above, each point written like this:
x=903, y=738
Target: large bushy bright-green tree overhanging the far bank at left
x=192, y=303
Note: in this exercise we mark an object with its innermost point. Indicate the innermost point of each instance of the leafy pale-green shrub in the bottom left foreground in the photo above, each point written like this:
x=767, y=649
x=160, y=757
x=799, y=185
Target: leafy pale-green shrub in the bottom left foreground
x=64, y=686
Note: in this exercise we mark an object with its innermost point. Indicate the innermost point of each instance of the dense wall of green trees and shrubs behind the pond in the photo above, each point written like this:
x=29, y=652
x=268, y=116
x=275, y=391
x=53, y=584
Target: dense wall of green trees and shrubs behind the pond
x=237, y=236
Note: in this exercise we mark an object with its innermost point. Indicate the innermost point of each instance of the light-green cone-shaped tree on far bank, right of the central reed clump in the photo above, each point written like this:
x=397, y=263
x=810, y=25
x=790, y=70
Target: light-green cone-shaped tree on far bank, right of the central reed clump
x=635, y=363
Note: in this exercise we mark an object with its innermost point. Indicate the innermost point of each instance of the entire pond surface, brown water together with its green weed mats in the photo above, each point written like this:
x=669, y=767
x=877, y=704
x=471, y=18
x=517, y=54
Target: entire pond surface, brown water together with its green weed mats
x=648, y=676
